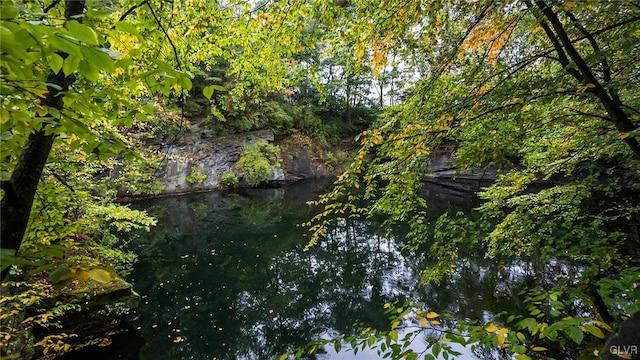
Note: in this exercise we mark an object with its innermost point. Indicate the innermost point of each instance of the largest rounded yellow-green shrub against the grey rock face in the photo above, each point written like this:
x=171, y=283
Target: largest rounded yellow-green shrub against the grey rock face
x=256, y=161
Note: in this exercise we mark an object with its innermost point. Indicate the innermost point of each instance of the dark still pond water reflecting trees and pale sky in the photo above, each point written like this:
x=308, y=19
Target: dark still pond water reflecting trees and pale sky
x=224, y=276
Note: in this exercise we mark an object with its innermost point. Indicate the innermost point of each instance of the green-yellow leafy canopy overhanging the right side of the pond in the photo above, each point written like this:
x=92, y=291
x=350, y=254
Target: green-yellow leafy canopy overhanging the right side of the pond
x=543, y=94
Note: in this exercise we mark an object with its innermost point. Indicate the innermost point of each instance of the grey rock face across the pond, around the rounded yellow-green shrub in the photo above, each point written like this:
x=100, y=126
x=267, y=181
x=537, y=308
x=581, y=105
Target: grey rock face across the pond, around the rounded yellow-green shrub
x=195, y=160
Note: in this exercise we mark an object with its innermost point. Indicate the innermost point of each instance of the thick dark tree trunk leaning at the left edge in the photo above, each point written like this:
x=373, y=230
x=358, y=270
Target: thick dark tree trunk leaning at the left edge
x=21, y=188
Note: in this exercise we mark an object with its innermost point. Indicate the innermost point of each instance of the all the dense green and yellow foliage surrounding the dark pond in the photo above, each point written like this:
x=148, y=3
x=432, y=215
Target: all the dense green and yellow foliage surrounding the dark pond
x=542, y=92
